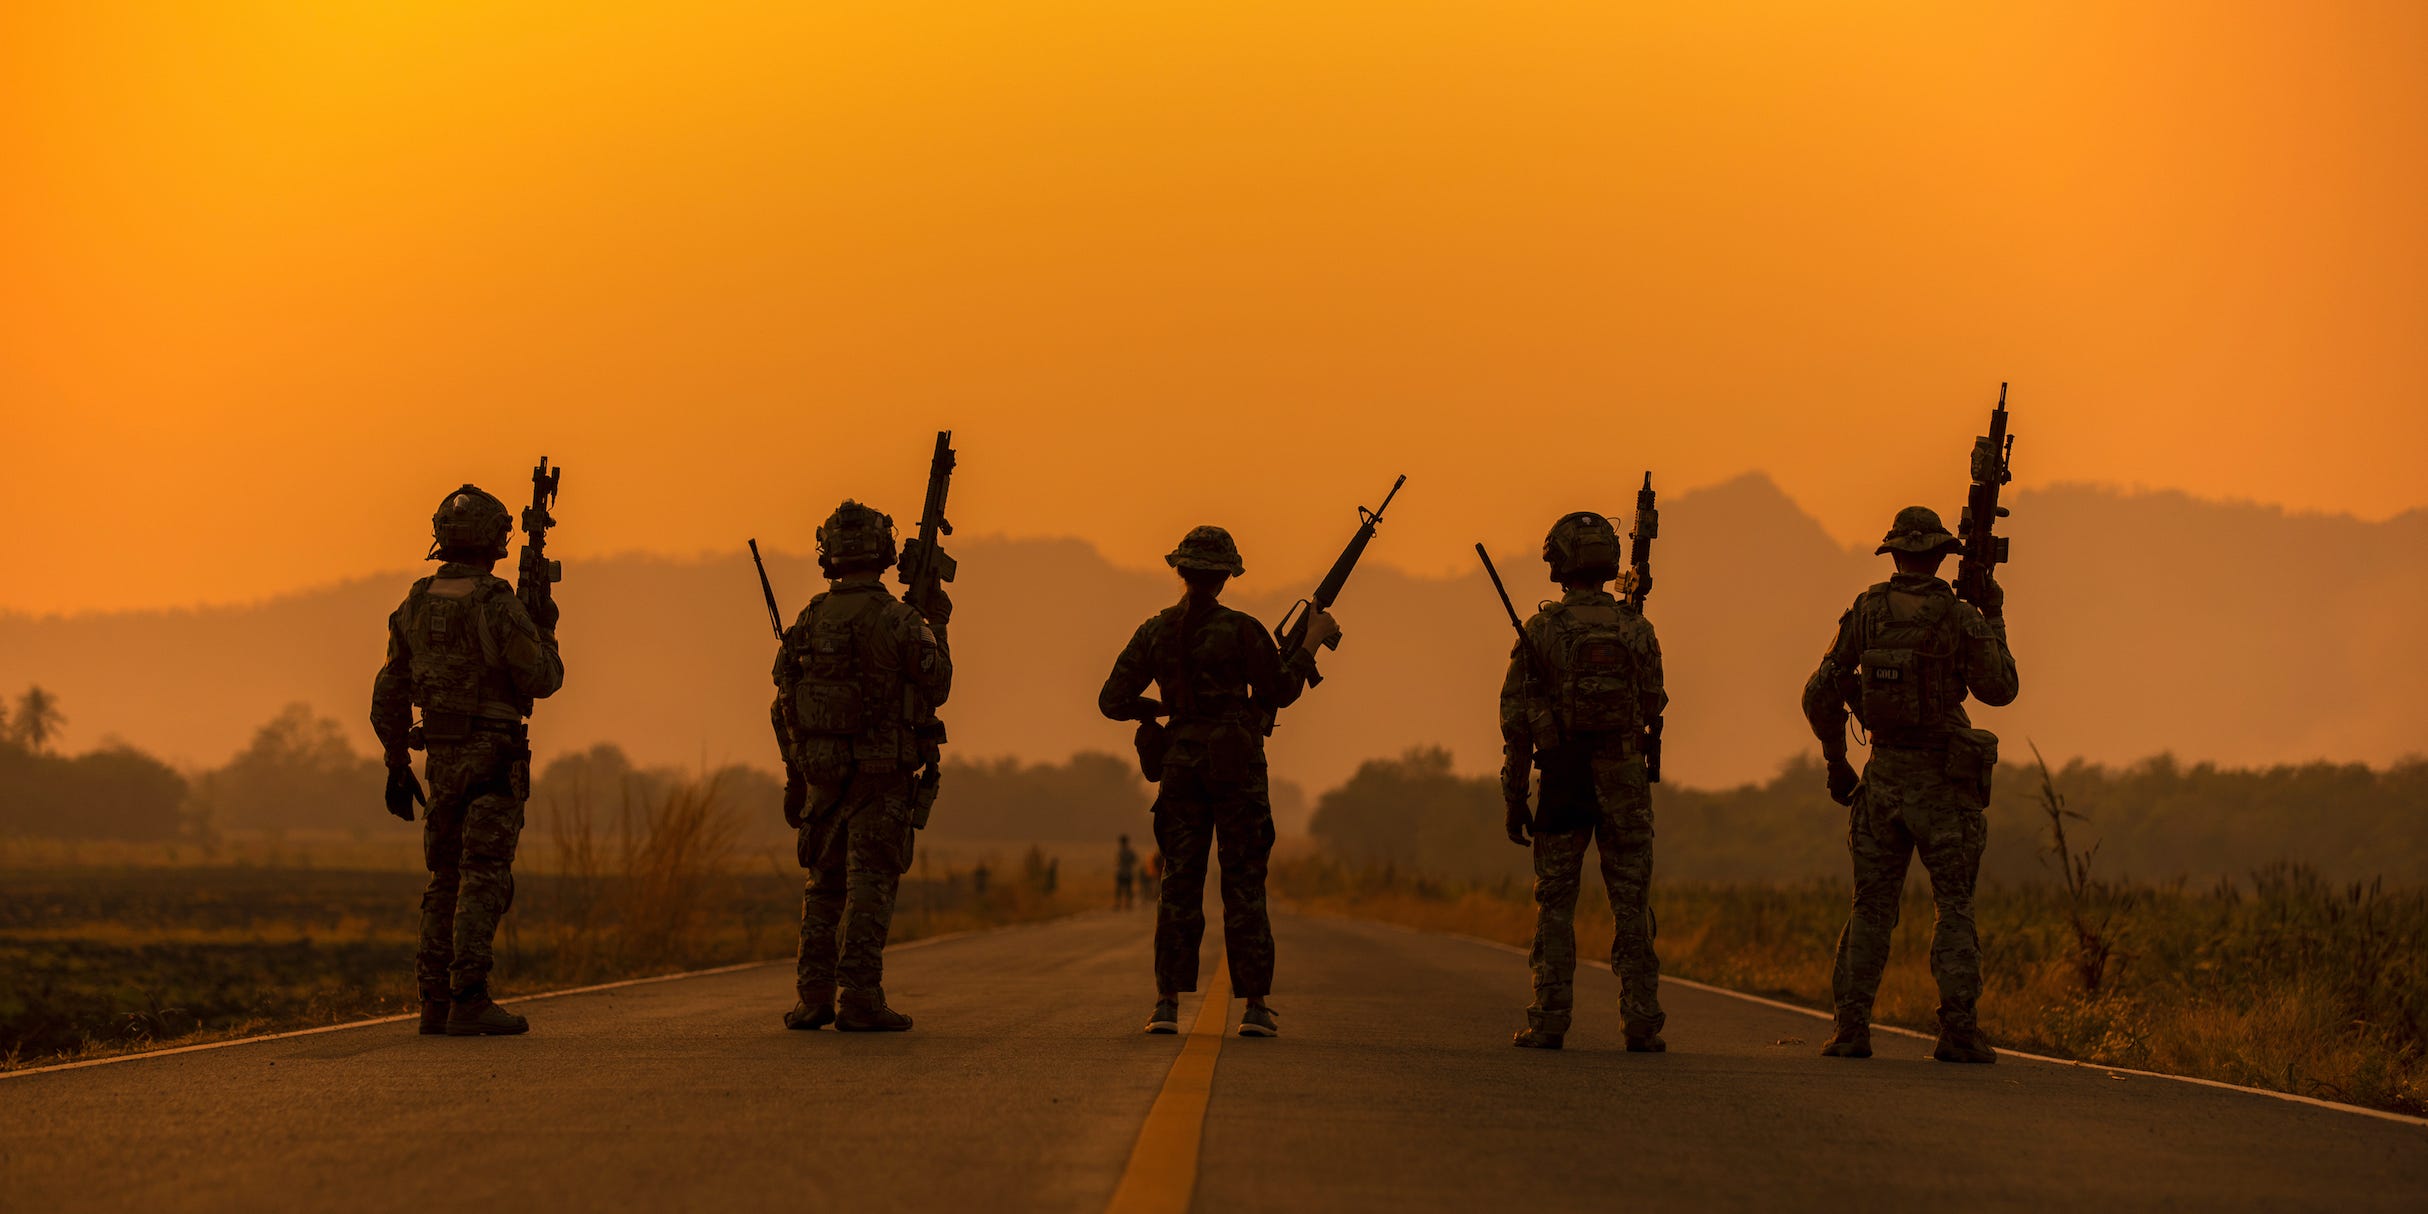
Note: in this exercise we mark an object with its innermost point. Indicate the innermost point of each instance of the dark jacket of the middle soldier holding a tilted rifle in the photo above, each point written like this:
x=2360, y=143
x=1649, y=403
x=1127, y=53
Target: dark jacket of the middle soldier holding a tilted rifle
x=1220, y=676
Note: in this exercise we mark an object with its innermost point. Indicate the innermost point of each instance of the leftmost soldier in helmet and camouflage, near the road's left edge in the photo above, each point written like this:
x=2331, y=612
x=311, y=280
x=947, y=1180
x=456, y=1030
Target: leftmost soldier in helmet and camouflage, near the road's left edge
x=472, y=657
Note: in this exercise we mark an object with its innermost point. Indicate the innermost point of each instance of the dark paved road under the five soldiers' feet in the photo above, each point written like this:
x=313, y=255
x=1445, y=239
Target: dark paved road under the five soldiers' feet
x=1026, y=1084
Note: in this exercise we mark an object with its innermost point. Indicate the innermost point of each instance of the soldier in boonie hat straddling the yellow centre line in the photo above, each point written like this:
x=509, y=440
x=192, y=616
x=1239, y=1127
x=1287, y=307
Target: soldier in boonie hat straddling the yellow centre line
x=1220, y=676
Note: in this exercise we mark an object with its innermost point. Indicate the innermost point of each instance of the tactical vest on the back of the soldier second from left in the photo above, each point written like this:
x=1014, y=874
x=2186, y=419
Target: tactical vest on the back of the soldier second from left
x=853, y=703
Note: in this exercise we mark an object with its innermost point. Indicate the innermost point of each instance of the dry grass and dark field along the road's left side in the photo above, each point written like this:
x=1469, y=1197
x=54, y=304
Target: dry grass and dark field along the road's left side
x=140, y=953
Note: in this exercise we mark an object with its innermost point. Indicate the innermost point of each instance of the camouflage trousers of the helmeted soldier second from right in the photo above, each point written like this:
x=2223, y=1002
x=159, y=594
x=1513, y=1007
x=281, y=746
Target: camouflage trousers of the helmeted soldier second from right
x=1623, y=829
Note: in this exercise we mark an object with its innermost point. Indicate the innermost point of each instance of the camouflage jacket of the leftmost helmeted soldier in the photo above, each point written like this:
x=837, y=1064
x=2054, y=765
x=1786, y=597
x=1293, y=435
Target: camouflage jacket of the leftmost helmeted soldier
x=463, y=647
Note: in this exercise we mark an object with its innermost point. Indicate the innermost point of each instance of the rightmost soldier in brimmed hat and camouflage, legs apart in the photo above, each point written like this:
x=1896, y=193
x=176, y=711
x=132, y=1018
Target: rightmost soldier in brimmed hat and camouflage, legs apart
x=1905, y=657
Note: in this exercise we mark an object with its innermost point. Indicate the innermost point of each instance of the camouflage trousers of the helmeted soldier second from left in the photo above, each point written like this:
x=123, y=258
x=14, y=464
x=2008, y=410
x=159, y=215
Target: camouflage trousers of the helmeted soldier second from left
x=856, y=866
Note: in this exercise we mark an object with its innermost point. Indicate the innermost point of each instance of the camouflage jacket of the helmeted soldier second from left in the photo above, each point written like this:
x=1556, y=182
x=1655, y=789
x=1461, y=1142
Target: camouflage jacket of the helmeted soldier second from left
x=858, y=681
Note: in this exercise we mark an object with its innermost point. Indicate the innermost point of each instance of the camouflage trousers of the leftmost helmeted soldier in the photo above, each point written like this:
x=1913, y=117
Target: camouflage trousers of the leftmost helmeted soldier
x=477, y=793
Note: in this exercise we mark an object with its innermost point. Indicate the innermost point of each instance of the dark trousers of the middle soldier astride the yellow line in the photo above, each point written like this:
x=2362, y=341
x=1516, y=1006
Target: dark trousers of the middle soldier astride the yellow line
x=1235, y=822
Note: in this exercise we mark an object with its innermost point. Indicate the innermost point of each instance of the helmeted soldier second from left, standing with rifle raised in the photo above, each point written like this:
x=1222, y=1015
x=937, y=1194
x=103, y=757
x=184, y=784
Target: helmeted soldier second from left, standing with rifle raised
x=858, y=681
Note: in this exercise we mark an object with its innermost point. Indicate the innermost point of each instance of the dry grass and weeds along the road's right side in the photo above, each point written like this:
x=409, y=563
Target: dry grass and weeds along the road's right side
x=2274, y=982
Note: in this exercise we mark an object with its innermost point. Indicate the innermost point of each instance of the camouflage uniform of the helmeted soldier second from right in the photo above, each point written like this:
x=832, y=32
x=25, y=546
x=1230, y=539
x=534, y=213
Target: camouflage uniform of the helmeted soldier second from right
x=1594, y=793
